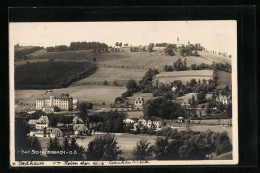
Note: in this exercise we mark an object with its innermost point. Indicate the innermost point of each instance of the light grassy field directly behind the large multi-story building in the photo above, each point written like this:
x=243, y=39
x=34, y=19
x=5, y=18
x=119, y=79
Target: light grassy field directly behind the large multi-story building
x=92, y=93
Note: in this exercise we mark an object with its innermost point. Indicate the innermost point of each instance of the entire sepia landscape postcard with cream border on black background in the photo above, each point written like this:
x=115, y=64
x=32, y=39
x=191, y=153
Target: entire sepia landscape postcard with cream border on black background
x=128, y=93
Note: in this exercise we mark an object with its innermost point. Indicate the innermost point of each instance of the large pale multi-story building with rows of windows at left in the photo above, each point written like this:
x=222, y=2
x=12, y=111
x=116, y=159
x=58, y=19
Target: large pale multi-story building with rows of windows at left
x=63, y=101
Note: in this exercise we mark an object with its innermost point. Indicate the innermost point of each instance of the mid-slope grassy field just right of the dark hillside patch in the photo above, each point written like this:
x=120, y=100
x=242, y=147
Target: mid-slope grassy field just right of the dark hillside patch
x=121, y=76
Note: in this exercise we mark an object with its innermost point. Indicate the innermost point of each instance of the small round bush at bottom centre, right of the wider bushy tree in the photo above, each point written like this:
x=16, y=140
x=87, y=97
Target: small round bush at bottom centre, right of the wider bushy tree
x=142, y=150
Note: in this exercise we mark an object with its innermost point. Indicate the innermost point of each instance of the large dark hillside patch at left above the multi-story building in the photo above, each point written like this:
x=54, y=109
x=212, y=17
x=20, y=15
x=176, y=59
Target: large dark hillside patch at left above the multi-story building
x=48, y=75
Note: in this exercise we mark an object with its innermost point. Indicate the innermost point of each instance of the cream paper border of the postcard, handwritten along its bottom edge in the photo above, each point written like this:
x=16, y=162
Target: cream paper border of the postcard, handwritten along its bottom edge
x=14, y=163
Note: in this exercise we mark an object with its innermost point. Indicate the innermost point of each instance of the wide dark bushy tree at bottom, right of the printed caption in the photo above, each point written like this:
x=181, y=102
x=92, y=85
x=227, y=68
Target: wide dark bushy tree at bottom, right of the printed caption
x=103, y=148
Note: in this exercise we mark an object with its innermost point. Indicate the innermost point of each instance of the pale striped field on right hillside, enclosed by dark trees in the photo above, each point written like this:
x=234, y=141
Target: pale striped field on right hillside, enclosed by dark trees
x=184, y=76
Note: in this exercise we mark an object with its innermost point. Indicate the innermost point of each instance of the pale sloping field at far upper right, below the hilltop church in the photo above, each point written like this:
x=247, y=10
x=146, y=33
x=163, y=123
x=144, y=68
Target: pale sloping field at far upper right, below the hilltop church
x=215, y=57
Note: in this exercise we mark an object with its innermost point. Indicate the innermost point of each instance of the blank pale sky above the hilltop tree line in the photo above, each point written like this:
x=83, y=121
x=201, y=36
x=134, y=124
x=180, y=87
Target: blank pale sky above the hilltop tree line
x=213, y=35
